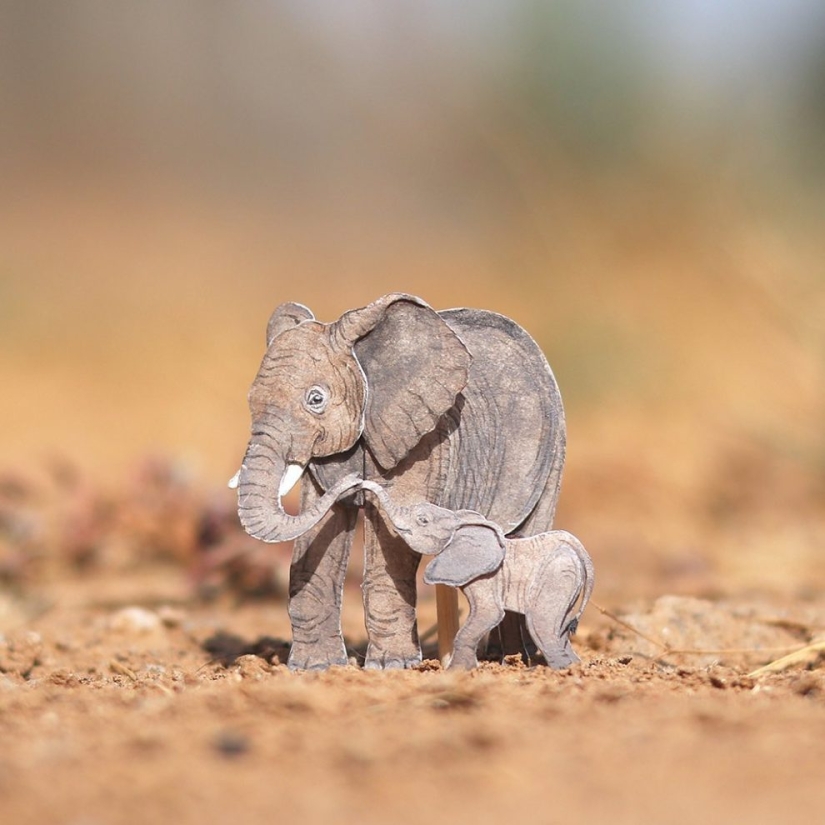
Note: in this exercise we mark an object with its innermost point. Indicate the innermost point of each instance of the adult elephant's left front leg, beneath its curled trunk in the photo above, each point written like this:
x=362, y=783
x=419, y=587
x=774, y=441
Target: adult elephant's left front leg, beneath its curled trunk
x=316, y=583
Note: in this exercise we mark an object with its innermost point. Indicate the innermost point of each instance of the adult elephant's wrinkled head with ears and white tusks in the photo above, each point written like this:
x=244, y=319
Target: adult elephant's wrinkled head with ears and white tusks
x=385, y=373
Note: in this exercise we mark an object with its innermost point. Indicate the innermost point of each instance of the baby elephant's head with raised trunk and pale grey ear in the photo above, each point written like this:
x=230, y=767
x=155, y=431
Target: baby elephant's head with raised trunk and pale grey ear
x=465, y=544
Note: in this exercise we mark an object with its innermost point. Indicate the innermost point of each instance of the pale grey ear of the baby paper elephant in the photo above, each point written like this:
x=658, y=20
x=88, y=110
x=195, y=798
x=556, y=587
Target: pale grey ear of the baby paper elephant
x=475, y=550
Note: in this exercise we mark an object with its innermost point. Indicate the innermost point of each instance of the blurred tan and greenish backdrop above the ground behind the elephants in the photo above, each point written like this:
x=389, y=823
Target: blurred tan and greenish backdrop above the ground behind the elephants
x=640, y=185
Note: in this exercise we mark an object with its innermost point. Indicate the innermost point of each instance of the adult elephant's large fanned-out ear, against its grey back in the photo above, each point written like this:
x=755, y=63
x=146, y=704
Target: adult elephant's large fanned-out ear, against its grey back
x=415, y=367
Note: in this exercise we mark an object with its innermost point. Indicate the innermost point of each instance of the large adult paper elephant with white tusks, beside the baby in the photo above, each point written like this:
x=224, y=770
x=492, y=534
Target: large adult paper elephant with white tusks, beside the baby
x=458, y=408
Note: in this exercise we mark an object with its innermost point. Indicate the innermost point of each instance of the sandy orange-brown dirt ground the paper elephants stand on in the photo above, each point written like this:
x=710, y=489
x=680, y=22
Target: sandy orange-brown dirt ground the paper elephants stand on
x=142, y=680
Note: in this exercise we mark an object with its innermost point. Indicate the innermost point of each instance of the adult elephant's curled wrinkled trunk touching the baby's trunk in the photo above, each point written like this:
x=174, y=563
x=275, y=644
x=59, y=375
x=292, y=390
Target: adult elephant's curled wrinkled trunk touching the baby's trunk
x=261, y=483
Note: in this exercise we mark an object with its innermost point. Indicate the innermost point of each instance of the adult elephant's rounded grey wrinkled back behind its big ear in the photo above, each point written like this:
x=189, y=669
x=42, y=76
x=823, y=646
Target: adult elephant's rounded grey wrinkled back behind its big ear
x=508, y=437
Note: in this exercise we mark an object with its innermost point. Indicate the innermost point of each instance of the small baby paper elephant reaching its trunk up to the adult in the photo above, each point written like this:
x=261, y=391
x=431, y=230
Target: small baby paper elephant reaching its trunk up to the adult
x=543, y=577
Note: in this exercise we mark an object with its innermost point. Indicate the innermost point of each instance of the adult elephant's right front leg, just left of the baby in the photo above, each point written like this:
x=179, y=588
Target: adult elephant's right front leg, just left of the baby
x=389, y=596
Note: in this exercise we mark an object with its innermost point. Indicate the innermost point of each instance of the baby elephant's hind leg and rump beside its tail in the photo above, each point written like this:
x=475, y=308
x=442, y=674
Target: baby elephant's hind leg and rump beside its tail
x=551, y=607
